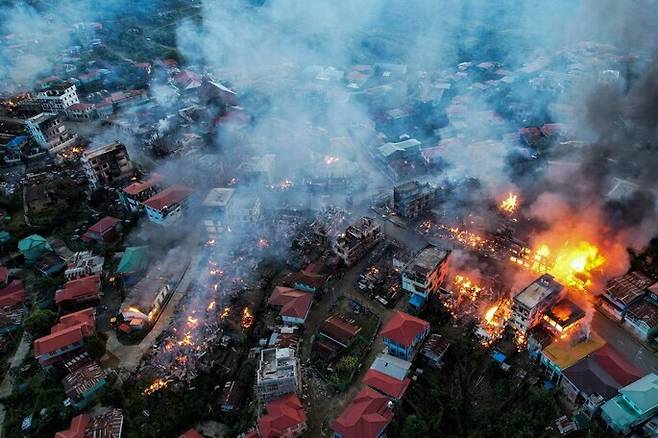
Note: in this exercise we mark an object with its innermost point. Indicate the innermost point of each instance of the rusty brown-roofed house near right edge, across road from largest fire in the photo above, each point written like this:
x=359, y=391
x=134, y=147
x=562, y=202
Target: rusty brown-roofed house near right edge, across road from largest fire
x=621, y=292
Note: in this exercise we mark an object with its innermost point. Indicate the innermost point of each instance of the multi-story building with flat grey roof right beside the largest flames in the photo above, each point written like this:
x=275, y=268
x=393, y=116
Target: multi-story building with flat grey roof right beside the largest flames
x=529, y=305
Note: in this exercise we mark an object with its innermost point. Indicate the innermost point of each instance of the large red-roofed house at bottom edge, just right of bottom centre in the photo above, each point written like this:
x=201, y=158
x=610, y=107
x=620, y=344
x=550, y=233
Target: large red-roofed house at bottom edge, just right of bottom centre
x=367, y=416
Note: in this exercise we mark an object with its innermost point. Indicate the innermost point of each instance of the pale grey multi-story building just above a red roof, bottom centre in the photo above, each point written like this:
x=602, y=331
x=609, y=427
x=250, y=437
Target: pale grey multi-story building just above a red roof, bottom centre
x=277, y=374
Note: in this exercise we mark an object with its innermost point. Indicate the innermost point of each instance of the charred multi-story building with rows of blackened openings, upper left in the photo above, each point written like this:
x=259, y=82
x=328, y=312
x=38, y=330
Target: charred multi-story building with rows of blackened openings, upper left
x=105, y=165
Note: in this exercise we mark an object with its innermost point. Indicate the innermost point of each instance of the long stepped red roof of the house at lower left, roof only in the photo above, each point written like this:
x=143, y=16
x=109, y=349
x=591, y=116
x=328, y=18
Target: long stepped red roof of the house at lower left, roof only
x=70, y=329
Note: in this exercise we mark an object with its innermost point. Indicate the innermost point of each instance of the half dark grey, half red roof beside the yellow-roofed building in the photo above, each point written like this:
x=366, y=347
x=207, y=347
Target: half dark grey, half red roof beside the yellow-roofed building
x=602, y=372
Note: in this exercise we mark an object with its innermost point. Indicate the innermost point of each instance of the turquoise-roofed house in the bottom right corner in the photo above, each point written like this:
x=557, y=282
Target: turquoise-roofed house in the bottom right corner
x=634, y=404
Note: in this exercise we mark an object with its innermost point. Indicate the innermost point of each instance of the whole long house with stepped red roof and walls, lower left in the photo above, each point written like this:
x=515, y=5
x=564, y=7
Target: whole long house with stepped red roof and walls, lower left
x=65, y=337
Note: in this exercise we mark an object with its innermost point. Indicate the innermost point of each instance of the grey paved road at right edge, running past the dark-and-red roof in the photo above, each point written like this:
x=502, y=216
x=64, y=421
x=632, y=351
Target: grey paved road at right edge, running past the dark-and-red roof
x=624, y=342
